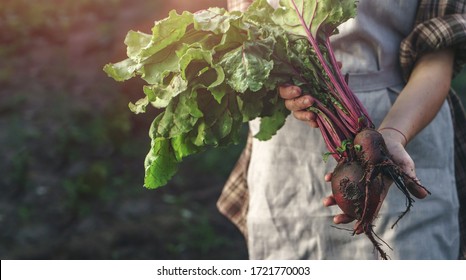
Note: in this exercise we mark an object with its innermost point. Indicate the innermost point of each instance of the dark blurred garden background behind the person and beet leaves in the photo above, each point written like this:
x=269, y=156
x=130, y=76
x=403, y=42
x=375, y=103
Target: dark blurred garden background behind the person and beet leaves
x=71, y=152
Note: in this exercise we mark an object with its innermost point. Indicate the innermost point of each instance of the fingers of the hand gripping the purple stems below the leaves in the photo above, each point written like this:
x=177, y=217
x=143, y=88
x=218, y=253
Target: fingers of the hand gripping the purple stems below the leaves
x=297, y=103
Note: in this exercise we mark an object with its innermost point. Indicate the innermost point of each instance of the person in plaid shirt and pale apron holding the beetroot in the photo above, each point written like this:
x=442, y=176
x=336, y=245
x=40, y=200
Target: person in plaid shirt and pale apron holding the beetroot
x=399, y=58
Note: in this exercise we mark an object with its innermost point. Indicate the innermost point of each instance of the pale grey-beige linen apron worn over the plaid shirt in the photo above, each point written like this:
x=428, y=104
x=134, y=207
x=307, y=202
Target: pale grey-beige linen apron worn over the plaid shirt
x=286, y=218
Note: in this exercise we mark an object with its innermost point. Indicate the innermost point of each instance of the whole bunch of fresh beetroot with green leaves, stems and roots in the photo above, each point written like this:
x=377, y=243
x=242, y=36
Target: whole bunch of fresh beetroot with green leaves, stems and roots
x=209, y=72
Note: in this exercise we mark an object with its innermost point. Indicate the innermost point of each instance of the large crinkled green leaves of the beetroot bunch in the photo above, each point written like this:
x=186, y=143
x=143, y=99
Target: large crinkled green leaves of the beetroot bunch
x=211, y=71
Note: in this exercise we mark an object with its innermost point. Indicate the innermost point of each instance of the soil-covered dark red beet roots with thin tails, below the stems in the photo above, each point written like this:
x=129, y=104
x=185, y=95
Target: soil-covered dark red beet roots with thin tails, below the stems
x=358, y=183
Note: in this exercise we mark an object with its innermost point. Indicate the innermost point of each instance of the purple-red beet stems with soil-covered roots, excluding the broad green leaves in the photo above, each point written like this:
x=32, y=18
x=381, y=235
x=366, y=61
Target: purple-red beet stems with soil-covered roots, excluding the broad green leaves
x=365, y=168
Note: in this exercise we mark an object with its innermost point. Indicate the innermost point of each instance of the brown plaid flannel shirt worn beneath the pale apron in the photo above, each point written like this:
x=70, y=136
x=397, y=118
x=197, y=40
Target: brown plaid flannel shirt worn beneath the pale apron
x=439, y=24
